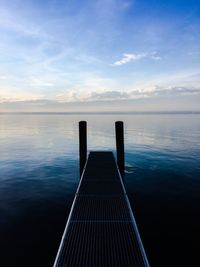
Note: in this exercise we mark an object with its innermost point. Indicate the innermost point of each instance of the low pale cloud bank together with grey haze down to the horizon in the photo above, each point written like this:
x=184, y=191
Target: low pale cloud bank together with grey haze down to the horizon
x=158, y=98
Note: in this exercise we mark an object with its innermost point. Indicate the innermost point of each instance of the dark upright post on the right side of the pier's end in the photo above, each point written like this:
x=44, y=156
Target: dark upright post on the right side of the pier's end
x=119, y=131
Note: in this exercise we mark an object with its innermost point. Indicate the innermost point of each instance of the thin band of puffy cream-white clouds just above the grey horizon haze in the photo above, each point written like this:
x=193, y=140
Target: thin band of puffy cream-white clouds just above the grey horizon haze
x=106, y=95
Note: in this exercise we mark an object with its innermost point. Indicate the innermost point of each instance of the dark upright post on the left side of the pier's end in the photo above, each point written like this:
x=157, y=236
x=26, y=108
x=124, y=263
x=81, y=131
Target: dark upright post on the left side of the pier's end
x=82, y=144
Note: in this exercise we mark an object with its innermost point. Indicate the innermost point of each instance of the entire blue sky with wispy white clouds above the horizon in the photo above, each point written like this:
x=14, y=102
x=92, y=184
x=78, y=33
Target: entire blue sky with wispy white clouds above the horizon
x=103, y=55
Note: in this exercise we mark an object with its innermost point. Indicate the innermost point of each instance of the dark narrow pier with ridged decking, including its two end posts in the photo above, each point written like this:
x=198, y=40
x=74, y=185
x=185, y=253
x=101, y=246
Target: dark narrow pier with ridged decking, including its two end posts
x=101, y=230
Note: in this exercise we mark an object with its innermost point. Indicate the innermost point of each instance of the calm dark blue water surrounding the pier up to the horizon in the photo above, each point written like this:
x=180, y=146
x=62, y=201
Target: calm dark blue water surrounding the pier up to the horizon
x=39, y=174
